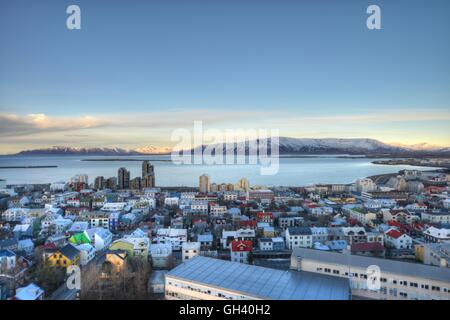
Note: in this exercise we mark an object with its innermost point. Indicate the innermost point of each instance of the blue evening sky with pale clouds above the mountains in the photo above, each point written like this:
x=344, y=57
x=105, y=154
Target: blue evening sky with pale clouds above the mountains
x=137, y=70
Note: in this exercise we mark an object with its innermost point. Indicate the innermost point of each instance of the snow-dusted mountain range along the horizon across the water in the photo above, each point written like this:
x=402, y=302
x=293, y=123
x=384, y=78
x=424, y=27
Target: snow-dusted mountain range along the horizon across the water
x=286, y=146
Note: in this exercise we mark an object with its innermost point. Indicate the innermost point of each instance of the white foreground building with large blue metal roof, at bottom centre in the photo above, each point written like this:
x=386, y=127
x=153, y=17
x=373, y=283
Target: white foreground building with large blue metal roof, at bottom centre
x=203, y=278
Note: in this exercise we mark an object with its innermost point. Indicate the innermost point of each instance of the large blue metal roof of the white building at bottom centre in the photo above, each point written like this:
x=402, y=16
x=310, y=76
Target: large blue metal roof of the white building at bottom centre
x=260, y=282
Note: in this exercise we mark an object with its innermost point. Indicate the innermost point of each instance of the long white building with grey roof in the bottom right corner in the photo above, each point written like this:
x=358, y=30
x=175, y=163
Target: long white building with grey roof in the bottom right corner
x=398, y=280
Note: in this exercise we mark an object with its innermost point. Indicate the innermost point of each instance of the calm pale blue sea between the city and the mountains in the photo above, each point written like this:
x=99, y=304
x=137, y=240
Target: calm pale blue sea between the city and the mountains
x=292, y=171
